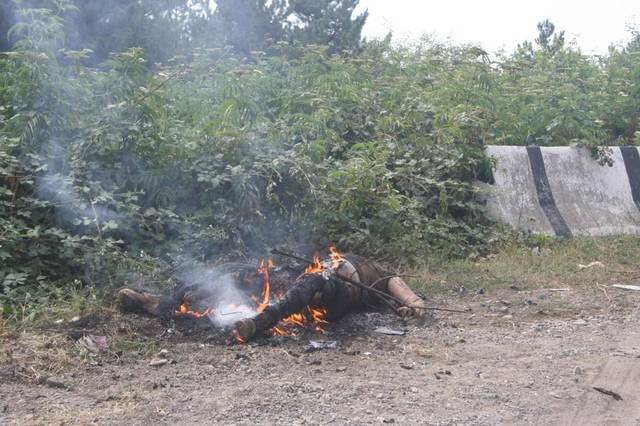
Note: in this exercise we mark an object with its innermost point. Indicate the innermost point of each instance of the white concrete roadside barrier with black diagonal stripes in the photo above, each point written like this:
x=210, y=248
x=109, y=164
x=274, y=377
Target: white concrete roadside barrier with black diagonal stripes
x=562, y=191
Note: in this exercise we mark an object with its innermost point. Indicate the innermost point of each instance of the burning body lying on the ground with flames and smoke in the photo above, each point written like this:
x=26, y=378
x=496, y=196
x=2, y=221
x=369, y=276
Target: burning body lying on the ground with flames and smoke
x=275, y=299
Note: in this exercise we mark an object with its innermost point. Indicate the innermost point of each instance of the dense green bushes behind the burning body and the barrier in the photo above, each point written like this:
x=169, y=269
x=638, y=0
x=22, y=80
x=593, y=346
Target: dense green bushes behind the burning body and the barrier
x=124, y=169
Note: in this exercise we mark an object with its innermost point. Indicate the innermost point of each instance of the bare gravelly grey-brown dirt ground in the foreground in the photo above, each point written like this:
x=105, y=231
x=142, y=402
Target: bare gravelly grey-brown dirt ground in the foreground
x=519, y=357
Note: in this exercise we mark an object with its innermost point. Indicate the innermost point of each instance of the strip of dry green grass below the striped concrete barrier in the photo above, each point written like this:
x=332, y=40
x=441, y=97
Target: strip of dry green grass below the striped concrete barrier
x=543, y=262
